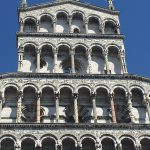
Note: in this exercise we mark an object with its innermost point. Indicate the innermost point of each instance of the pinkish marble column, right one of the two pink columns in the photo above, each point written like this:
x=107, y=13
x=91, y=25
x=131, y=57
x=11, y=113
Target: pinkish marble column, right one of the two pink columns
x=112, y=106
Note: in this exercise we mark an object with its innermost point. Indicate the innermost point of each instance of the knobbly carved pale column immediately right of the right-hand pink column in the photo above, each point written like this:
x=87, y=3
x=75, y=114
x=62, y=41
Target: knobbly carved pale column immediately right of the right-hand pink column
x=130, y=108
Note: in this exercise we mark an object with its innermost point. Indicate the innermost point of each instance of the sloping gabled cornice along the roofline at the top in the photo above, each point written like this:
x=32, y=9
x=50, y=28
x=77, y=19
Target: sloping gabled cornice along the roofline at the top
x=56, y=3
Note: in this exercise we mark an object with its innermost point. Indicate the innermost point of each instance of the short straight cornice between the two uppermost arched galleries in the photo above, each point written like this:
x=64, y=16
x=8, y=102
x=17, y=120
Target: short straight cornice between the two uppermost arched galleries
x=72, y=35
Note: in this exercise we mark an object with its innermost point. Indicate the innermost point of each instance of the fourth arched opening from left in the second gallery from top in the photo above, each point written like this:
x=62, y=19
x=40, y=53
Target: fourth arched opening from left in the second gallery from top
x=81, y=58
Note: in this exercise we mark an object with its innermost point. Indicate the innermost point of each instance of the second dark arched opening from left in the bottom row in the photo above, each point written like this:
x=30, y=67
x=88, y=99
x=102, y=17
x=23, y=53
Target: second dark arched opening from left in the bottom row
x=28, y=144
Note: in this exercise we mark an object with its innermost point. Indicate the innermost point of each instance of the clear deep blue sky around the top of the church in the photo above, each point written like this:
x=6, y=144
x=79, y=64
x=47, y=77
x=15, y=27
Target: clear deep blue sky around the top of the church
x=135, y=25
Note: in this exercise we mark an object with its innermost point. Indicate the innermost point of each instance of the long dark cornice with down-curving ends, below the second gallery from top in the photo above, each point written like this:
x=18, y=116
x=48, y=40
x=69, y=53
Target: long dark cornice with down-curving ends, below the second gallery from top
x=74, y=76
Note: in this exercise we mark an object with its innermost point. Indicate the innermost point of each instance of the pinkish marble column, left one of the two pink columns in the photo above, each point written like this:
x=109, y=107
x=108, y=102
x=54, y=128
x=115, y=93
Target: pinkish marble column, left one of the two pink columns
x=38, y=108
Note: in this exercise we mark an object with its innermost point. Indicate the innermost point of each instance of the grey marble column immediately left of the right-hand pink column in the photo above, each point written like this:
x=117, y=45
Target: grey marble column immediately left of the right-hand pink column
x=93, y=97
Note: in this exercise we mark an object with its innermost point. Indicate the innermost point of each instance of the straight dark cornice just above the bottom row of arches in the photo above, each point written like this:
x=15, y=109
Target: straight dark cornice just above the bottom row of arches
x=75, y=126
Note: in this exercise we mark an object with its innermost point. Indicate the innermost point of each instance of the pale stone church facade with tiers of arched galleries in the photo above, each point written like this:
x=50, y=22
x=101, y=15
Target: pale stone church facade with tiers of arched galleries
x=72, y=89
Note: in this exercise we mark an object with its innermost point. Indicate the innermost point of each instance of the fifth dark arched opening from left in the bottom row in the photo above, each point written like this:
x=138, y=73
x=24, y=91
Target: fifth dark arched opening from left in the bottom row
x=88, y=144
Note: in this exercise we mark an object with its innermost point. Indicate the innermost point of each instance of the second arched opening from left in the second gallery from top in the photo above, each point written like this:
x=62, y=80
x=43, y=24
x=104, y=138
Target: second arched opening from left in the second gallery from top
x=47, y=59
